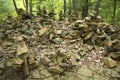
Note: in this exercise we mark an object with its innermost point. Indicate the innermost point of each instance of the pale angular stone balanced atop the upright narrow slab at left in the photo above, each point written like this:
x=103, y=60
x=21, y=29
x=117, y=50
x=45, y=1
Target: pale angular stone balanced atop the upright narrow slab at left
x=21, y=49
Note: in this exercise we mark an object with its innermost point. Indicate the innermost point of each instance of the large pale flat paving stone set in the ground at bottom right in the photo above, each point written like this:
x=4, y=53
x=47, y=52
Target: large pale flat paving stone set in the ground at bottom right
x=85, y=71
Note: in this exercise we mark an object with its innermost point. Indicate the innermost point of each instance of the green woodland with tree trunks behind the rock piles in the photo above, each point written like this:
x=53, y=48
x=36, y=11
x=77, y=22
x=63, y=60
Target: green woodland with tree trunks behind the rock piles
x=108, y=9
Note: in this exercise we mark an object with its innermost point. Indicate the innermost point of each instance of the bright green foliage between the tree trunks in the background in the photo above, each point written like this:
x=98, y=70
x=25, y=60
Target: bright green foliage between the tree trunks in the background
x=105, y=9
